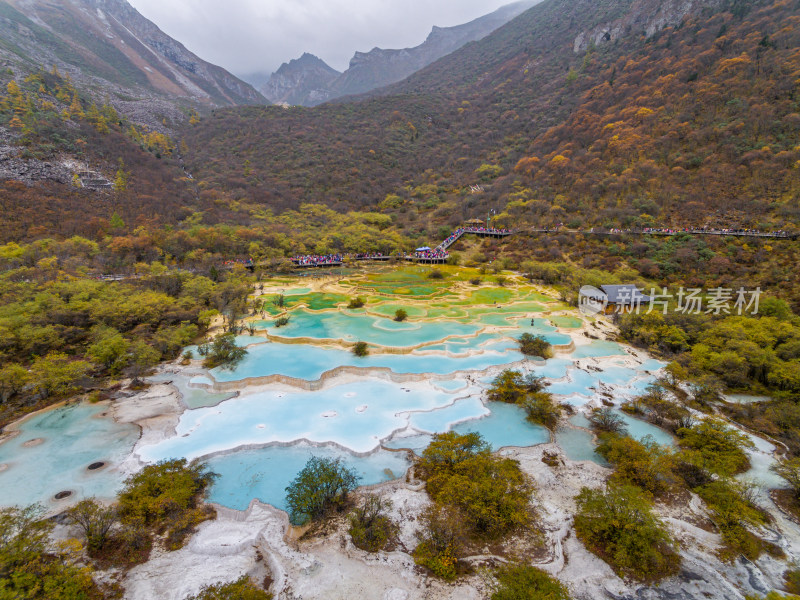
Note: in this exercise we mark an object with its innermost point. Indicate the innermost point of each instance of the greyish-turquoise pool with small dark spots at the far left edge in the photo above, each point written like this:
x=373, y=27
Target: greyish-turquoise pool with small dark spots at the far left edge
x=74, y=436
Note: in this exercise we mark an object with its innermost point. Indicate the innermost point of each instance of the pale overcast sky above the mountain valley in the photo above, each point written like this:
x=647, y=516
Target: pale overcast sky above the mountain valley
x=249, y=36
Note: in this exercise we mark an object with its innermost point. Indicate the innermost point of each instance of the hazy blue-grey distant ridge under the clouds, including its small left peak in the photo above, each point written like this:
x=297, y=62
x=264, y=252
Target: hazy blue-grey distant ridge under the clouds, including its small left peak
x=310, y=84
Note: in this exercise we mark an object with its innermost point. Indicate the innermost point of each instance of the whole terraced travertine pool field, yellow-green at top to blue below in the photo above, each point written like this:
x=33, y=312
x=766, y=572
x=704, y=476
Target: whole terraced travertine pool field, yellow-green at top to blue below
x=301, y=391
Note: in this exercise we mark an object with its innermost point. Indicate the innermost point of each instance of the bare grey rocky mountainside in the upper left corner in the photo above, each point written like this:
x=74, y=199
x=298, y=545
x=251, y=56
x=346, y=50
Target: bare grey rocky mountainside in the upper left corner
x=107, y=47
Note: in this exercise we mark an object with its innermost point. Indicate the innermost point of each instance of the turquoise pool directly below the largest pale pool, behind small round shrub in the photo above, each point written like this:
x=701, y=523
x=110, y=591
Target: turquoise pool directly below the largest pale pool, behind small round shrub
x=264, y=473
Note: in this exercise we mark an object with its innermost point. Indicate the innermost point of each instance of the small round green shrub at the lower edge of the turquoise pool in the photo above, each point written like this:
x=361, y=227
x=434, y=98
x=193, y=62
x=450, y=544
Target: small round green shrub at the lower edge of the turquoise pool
x=321, y=485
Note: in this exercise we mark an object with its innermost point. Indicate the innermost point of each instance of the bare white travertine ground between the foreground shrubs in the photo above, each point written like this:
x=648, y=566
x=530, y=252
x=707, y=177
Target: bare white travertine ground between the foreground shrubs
x=259, y=542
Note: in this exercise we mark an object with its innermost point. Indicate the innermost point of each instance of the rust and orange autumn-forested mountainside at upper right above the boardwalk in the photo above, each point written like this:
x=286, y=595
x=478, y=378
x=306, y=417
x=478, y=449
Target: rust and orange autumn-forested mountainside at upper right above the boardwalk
x=720, y=108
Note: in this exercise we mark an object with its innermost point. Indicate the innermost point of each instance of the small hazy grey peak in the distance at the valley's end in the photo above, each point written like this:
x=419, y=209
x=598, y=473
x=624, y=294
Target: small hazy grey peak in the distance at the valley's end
x=302, y=81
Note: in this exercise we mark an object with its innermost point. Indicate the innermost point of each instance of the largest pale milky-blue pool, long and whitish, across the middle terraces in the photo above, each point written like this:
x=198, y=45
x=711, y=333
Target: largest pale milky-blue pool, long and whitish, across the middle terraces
x=355, y=415
